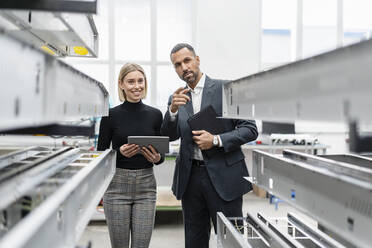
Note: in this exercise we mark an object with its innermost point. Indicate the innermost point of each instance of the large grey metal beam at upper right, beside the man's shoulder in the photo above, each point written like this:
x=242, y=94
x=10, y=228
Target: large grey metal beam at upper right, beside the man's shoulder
x=334, y=86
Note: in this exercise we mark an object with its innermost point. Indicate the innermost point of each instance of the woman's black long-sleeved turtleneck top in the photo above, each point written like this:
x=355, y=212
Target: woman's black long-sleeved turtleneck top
x=129, y=119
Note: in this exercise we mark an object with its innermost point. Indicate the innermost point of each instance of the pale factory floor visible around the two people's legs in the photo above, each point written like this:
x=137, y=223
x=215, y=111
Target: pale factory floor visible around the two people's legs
x=169, y=232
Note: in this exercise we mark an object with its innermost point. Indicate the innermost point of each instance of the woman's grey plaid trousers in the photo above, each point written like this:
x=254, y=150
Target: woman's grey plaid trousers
x=129, y=206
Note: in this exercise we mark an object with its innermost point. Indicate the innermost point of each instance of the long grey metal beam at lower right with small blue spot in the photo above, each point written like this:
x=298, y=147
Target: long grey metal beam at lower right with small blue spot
x=336, y=194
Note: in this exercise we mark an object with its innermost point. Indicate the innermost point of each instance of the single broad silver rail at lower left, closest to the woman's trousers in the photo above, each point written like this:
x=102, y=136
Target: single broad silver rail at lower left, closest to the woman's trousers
x=59, y=207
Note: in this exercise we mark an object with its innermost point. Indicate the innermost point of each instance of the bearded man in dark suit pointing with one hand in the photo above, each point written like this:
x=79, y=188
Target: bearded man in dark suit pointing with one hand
x=206, y=182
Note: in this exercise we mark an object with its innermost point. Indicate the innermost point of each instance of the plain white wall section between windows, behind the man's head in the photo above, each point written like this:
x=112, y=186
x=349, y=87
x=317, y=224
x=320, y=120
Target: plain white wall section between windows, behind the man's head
x=228, y=37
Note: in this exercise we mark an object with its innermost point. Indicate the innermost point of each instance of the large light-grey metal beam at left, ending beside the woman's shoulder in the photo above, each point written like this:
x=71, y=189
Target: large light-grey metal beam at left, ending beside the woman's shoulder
x=46, y=91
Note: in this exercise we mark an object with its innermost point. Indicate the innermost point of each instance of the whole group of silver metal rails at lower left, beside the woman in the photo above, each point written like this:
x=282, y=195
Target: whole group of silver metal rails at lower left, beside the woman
x=49, y=195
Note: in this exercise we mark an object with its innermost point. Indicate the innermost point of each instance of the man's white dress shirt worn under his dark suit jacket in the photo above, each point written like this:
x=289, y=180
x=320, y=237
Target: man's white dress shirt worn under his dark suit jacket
x=196, y=96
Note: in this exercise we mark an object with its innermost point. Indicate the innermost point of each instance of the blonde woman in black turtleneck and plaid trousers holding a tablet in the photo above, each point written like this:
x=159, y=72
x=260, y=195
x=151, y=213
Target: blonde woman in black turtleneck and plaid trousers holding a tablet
x=129, y=202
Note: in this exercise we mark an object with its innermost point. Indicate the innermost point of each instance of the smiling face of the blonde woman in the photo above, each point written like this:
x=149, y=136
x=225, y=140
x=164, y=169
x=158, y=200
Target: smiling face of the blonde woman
x=133, y=85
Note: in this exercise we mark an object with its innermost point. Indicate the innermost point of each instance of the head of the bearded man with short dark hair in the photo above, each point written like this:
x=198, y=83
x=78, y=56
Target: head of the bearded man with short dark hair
x=186, y=65
